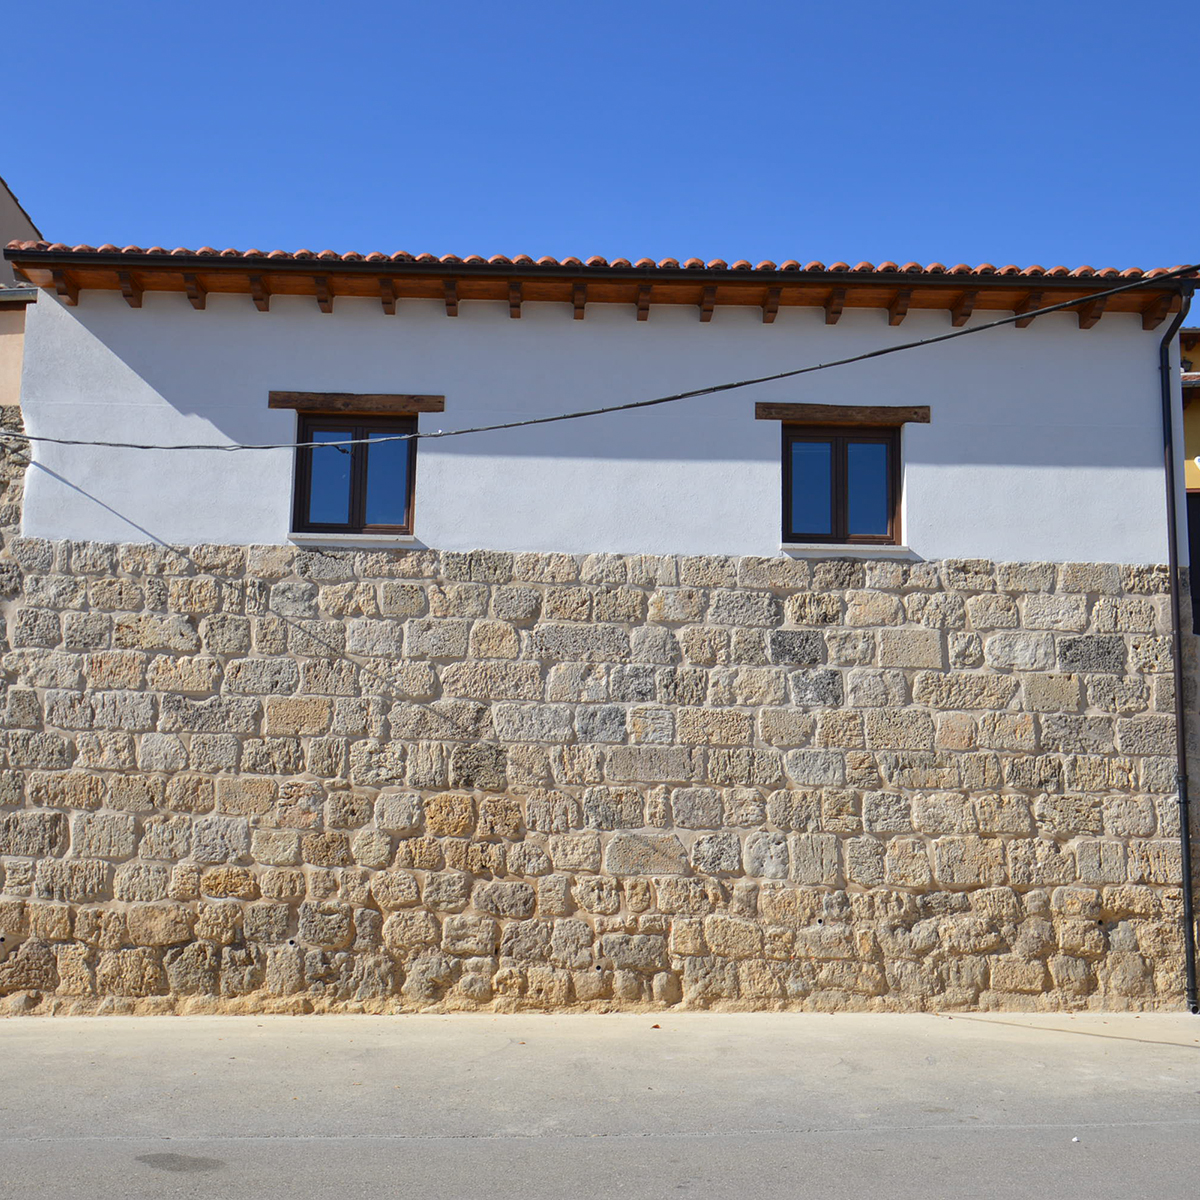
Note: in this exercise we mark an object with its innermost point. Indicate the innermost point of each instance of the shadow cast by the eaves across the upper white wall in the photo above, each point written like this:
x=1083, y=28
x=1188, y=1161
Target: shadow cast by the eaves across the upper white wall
x=1007, y=398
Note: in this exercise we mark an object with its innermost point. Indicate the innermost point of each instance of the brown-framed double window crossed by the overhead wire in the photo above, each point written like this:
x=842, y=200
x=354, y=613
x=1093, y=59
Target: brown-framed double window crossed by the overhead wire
x=362, y=489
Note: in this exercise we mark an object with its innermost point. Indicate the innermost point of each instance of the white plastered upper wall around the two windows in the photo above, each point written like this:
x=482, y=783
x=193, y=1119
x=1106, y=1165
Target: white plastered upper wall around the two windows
x=1045, y=442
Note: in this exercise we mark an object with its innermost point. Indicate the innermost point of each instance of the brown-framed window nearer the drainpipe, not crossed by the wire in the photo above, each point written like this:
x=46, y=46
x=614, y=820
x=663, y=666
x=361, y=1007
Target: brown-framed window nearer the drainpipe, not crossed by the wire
x=842, y=485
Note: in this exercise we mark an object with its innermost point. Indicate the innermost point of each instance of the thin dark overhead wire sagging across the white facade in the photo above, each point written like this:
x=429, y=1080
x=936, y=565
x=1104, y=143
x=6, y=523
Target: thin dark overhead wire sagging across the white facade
x=712, y=389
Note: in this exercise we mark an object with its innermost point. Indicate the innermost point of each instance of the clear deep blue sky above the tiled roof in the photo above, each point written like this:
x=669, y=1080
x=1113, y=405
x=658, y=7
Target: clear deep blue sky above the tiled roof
x=1047, y=133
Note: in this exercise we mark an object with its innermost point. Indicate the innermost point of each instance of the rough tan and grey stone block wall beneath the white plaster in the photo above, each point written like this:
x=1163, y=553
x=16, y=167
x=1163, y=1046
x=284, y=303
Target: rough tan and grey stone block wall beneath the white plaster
x=274, y=779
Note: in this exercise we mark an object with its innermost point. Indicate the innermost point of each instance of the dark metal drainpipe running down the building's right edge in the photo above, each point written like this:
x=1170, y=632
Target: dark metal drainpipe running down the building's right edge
x=1173, y=555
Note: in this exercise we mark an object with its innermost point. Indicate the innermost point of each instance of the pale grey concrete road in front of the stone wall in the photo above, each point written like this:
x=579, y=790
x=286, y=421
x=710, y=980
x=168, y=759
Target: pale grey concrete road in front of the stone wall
x=760, y=1107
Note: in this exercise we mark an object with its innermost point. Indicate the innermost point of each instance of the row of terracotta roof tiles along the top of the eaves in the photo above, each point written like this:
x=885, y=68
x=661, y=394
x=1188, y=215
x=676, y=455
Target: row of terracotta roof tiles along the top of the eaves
x=599, y=262
